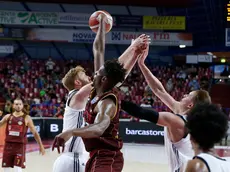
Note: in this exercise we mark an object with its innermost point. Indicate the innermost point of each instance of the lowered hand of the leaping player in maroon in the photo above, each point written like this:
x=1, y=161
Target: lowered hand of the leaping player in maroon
x=60, y=140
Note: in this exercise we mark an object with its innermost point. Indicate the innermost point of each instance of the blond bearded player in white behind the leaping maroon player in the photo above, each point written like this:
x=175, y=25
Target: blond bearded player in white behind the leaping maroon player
x=75, y=156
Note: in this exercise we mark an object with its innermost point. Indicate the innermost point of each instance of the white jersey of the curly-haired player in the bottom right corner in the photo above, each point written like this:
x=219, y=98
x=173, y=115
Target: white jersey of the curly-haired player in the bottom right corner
x=214, y=164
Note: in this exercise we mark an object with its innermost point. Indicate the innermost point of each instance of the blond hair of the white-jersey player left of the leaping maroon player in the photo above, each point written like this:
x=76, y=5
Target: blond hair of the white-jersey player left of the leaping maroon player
x=70, y=77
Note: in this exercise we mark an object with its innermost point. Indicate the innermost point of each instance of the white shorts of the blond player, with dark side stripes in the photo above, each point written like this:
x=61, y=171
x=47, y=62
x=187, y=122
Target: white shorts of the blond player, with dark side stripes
x=70, y=162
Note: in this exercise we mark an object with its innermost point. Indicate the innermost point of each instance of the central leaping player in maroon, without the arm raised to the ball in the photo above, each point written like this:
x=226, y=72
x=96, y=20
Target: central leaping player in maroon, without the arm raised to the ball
x=102, y=114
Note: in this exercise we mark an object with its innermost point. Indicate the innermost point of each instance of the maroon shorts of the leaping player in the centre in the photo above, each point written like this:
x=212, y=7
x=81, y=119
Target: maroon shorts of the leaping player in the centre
x=105, y=161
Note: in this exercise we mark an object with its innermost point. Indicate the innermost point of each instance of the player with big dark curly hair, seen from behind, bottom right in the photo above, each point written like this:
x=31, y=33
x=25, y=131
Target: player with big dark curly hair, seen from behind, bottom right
x=207, y=125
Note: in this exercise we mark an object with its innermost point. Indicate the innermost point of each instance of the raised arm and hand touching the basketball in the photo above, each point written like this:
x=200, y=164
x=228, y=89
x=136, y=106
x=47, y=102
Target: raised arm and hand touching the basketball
x=99, y=43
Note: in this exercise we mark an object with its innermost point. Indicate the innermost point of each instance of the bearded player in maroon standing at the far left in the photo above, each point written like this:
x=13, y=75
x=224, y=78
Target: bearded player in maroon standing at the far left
x=17, y=124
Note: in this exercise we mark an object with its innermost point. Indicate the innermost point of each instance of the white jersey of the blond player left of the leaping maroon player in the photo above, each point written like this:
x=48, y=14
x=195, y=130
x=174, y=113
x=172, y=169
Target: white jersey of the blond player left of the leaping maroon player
x=73, y=118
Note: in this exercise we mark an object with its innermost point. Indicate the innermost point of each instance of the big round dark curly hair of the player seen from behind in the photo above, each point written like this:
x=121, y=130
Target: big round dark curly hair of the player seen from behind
x=207, y=125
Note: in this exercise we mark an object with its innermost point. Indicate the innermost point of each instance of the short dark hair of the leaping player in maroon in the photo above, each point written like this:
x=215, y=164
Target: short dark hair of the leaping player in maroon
x=114, y=71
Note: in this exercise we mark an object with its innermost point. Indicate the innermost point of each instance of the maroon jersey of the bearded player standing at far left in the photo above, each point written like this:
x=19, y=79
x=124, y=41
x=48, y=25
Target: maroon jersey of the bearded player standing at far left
x=16, y=130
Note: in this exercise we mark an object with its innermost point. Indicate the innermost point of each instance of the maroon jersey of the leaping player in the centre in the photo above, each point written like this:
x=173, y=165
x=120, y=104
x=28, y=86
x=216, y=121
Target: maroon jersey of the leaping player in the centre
x=109, y=139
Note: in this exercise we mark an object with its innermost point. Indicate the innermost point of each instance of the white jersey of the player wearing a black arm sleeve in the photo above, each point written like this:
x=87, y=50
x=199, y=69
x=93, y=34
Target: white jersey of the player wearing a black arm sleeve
x=178, y=153
